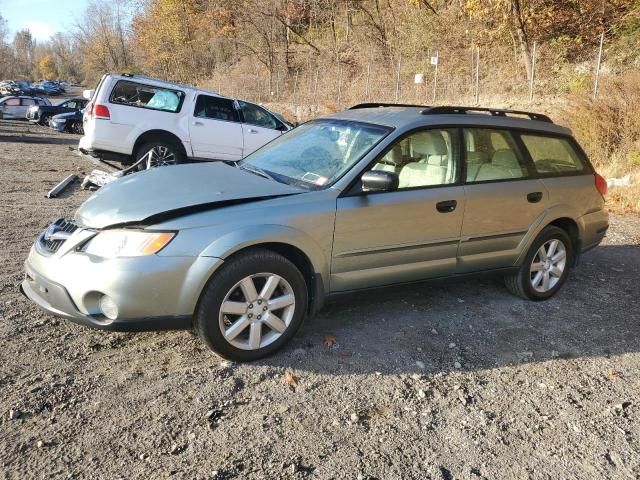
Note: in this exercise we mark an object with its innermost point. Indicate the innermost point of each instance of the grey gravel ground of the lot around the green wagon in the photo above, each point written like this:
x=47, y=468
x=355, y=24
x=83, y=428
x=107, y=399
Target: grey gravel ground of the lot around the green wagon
x=451, y=381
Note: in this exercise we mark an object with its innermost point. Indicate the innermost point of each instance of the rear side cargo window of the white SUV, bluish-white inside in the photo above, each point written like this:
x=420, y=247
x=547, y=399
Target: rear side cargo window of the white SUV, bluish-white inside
x=139, y=95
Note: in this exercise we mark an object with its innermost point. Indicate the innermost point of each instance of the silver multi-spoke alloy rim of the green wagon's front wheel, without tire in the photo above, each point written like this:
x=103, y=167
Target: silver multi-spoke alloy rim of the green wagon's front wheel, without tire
x=257, y=311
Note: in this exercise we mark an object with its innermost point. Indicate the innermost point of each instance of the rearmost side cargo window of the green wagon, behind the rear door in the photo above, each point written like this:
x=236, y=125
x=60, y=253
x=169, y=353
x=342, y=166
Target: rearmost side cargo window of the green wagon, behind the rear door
x=552, y=155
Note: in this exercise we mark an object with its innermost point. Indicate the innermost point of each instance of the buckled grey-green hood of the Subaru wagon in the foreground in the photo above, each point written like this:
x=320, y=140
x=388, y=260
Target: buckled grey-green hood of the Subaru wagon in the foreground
x=172, y=191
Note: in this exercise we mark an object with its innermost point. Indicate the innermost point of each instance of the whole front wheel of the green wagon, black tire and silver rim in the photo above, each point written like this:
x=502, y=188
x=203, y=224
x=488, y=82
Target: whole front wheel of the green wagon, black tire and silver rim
x=267, y=271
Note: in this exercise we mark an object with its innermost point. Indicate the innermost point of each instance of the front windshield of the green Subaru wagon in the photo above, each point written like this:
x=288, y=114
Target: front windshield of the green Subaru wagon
x=316, y=154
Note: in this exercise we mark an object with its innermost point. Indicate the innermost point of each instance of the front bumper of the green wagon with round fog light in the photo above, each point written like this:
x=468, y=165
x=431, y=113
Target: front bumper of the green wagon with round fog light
x=150, y=292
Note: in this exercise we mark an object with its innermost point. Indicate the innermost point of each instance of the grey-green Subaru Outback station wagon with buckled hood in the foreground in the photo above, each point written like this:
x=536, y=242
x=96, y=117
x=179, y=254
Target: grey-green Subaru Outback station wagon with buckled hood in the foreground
x=376, y=195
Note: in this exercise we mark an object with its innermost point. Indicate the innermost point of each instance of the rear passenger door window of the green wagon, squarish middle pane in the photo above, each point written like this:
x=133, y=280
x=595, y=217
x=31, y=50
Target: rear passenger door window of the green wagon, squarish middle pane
x=491, y=154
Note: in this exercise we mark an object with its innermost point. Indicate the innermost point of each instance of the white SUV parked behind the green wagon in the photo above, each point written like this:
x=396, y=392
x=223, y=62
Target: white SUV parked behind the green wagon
x=131, y=115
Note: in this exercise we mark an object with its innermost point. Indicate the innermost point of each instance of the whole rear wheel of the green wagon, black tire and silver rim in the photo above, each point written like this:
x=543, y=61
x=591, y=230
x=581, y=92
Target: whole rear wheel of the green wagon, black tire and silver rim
x=539, y=279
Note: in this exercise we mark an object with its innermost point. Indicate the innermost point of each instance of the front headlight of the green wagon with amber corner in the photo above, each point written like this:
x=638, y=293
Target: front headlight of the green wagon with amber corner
x=127, y=243
